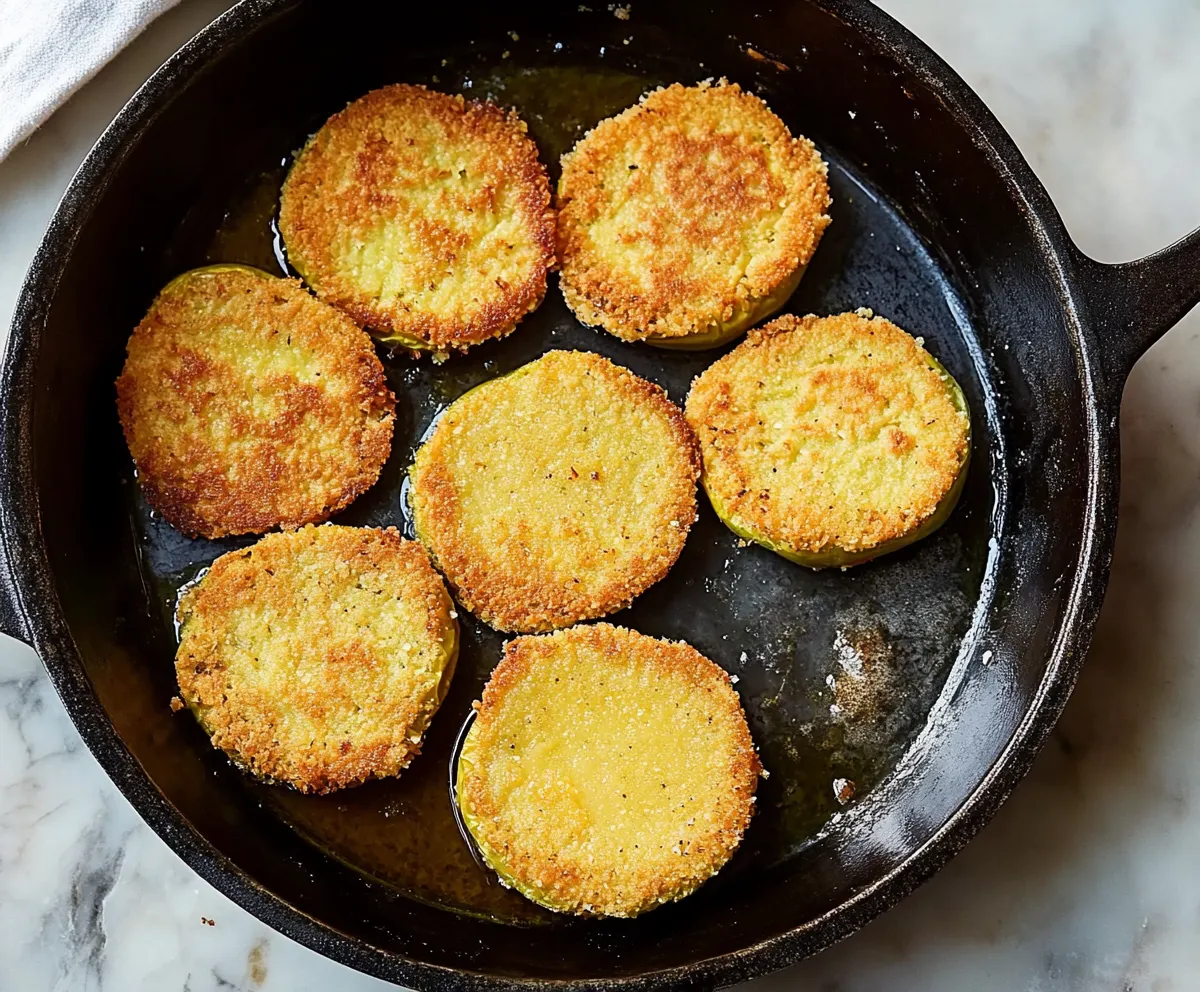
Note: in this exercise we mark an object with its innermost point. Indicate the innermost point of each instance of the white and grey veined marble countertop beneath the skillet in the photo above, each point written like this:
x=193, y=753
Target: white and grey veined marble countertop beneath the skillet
x=1088, y=880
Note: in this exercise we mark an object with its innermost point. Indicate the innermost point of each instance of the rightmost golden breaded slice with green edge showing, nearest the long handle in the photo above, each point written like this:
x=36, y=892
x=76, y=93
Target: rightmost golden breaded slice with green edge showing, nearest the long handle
x=831, y=440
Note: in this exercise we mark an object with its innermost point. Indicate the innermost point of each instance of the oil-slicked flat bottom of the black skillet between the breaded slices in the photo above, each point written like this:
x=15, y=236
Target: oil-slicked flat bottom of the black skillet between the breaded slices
x=837, y=671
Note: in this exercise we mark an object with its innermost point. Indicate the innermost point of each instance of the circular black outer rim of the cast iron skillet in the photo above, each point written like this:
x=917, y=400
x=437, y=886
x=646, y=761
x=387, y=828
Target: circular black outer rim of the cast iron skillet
x=27, y=578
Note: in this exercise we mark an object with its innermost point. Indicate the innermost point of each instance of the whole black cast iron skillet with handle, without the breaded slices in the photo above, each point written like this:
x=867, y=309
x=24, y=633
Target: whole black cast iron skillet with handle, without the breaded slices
x=979, y=633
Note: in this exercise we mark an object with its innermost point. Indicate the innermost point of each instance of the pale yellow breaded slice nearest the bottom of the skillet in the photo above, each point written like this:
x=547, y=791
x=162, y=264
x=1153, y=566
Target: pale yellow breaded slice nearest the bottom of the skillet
x=607, y=772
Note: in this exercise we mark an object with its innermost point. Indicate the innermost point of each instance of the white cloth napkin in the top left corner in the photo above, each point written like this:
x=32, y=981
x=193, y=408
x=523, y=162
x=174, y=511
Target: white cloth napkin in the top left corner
x=50, y=49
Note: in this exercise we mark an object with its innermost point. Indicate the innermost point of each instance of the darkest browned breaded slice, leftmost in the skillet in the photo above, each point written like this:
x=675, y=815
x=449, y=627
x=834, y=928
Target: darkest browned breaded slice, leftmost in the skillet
x=249, y=405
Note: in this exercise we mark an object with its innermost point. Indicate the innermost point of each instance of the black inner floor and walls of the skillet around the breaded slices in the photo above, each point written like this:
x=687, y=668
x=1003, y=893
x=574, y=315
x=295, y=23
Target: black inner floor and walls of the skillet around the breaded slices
x=946, y=674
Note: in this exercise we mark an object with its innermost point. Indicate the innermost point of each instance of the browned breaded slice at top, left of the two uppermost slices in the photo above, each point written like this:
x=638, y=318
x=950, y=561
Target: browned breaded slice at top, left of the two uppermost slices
x=424, y=217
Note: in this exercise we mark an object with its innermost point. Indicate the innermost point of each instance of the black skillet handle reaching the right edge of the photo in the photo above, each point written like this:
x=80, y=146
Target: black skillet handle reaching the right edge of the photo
x=1133, y=304
